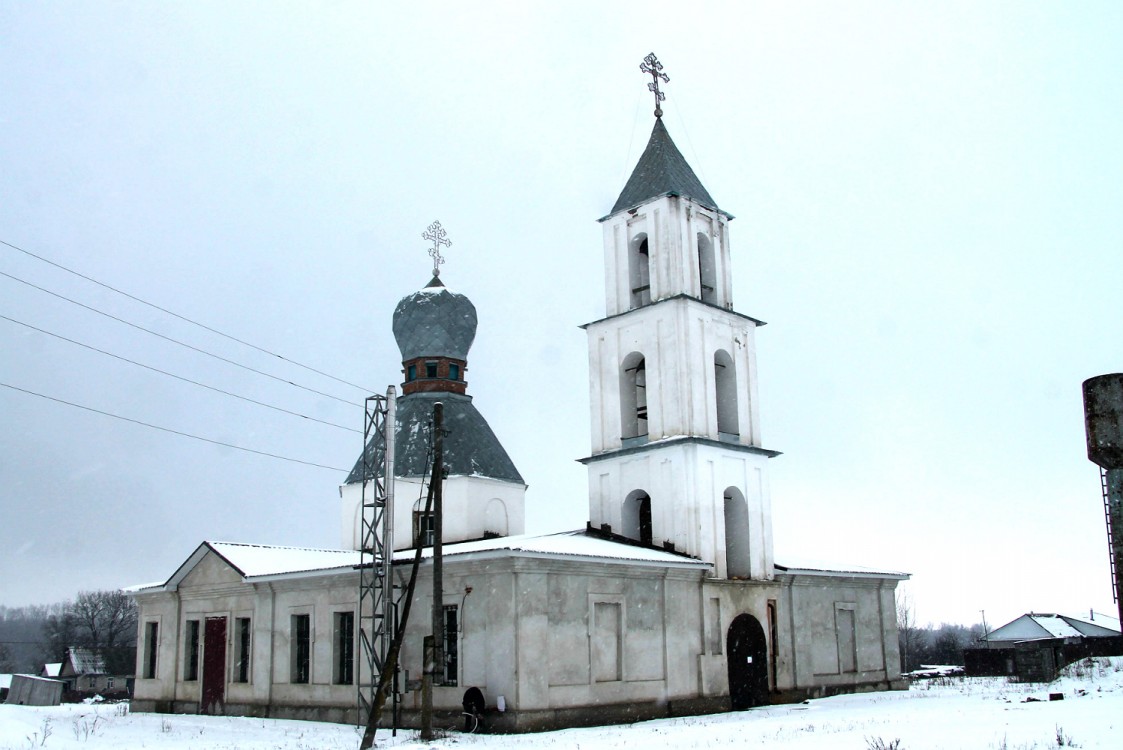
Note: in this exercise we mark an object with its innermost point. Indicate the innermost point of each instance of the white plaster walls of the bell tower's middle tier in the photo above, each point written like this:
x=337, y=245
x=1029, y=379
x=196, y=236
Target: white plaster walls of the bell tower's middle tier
x=679, y=340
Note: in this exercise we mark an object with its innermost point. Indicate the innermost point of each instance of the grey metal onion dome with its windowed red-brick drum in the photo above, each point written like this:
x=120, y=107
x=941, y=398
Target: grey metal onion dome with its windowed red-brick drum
x=435, y=328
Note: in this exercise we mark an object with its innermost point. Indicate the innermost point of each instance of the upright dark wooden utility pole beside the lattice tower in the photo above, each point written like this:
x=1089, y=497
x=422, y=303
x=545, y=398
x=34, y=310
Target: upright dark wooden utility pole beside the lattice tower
x=435, y=644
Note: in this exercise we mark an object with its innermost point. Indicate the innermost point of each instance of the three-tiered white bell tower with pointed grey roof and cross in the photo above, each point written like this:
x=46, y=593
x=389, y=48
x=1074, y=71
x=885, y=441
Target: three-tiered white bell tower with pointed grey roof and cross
x=677, y=454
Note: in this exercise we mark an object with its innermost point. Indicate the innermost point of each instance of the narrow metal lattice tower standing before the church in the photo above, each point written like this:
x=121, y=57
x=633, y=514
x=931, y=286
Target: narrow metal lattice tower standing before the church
x=377, y=550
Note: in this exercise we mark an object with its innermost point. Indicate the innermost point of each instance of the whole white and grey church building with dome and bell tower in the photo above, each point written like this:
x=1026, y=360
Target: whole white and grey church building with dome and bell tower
x=670, y=602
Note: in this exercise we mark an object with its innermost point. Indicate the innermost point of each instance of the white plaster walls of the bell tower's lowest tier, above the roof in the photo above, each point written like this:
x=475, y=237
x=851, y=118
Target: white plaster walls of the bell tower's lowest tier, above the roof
x=687, y=482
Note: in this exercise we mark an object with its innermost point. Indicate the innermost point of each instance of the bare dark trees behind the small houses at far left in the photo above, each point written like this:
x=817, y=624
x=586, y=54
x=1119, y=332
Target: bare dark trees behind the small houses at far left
x=104, y=621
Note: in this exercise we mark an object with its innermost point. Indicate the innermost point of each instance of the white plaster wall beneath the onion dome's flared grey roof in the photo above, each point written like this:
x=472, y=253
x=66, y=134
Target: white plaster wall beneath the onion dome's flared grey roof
x=467, y=501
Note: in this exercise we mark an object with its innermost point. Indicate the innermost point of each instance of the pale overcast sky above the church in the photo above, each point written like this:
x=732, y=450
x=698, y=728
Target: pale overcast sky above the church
x=929, y=203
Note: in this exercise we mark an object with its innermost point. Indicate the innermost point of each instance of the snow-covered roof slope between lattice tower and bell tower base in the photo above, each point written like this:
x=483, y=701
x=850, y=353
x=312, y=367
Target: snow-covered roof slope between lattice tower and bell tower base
x=565, y=544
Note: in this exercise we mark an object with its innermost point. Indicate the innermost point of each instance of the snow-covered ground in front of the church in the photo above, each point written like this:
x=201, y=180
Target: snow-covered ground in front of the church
x=944, y=714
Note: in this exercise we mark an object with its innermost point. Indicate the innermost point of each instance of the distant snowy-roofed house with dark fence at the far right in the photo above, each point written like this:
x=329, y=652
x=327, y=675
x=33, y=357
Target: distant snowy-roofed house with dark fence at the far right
x=1036, y=646
